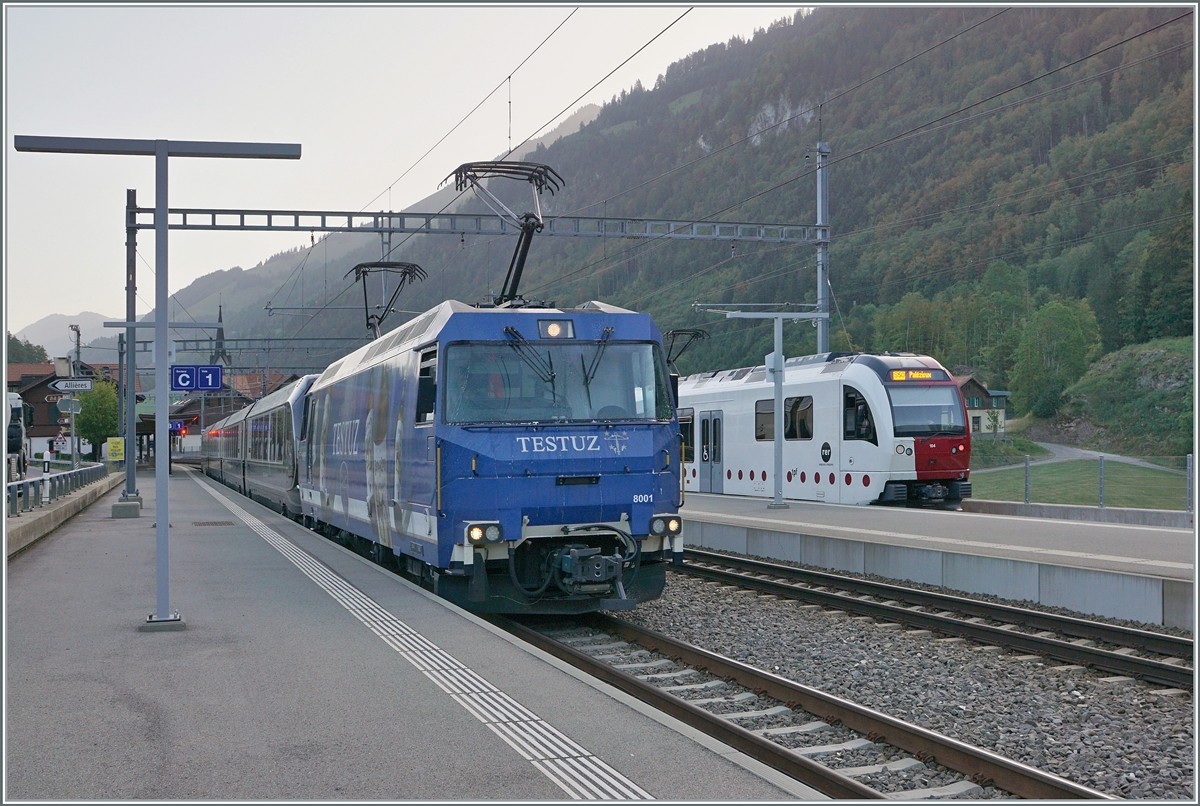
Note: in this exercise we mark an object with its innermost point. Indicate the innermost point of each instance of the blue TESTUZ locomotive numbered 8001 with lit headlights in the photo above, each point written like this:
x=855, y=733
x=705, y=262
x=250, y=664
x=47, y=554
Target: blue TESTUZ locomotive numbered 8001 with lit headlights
x=518, y=460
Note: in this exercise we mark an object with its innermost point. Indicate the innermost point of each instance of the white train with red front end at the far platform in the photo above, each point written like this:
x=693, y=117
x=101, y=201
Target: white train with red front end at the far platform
x=859, y=429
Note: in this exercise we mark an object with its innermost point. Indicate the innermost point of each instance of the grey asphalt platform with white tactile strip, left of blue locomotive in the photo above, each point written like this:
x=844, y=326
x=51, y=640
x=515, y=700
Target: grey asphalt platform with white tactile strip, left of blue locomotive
x=305, y=673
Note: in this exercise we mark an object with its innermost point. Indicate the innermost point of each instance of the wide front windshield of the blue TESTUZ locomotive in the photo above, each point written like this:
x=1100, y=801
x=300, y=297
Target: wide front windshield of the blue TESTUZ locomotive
x=560, y=382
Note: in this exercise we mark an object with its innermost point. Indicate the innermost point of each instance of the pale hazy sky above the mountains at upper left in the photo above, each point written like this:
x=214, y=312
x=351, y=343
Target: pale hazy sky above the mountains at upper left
x=364, y=91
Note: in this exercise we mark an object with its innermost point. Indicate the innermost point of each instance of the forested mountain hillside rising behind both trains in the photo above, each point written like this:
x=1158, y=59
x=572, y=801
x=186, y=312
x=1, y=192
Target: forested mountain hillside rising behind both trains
x=1011, y=193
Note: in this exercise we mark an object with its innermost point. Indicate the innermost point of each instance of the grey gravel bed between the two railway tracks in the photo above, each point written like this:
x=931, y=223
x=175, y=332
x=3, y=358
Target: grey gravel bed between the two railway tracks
x=1121, y=739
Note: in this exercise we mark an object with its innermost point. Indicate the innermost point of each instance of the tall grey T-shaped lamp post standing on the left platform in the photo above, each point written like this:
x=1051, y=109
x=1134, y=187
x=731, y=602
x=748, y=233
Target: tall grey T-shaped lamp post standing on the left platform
x=164, y=617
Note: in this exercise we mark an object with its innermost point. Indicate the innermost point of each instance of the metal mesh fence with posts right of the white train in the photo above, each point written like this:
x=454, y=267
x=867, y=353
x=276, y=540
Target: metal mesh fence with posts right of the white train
x=1151, y=483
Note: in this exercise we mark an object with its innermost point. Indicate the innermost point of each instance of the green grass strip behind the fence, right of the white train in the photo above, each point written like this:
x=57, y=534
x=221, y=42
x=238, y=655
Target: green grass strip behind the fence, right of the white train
x=1078, y=483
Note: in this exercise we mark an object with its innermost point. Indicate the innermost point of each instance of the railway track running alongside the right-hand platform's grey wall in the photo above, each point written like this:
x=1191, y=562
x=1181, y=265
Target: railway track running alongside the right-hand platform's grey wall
x=1065, y=639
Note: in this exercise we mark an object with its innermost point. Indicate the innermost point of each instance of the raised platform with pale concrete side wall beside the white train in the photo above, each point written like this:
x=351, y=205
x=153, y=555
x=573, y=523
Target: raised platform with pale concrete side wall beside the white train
x=1127, y=572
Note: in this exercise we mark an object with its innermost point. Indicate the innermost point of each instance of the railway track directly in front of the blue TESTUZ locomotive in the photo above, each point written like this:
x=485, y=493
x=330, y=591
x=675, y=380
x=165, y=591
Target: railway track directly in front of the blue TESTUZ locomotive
x=794, y=727
